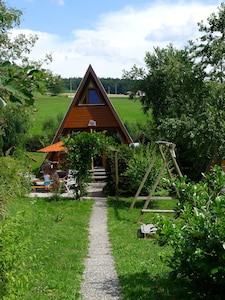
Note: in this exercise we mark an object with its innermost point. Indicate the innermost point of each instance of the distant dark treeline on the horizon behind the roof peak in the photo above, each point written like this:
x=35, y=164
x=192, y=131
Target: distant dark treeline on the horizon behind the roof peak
x=111, y=85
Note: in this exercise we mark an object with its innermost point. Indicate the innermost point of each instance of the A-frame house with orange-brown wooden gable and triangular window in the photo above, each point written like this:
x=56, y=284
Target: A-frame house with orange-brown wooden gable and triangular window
x=91, y=109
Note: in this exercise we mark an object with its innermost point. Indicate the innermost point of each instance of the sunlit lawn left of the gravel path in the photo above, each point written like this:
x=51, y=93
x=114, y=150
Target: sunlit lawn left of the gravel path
x=58, y=232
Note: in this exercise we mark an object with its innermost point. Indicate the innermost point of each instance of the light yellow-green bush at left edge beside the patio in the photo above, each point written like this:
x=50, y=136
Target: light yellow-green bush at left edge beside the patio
x=13, y=181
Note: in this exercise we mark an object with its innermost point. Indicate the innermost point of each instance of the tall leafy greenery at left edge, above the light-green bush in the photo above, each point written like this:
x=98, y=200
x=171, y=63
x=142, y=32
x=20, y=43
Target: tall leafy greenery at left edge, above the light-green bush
x=20, y=79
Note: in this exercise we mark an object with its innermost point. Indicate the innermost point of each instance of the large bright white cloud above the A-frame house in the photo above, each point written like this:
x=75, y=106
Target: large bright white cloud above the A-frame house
x=122, y=38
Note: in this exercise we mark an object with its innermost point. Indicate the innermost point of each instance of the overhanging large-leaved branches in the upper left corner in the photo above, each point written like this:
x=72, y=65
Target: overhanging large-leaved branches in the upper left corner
x=18, y=82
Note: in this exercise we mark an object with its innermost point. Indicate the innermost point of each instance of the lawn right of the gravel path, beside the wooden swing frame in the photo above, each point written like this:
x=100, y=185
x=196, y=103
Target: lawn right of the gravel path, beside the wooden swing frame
x=141, y=272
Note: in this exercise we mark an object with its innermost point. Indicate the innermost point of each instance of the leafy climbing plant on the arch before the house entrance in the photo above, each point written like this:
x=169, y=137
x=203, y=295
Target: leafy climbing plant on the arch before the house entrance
x=83, y=147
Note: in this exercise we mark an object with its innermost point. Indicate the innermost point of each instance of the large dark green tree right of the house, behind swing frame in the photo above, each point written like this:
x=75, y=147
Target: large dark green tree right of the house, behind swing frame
x=185, y=90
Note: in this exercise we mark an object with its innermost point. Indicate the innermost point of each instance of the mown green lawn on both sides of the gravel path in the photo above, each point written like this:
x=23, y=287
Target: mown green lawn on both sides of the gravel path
x=58, y=234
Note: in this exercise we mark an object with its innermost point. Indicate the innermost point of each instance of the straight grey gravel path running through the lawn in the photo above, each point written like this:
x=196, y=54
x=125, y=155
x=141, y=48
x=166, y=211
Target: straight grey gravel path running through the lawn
x=100, y=278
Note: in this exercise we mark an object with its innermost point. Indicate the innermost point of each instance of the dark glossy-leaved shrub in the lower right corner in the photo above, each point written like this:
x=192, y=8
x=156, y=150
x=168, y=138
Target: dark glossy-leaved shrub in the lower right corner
x=197, y=238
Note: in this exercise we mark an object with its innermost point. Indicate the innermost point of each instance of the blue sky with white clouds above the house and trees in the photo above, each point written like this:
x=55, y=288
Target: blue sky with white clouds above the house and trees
x=111, y=35
